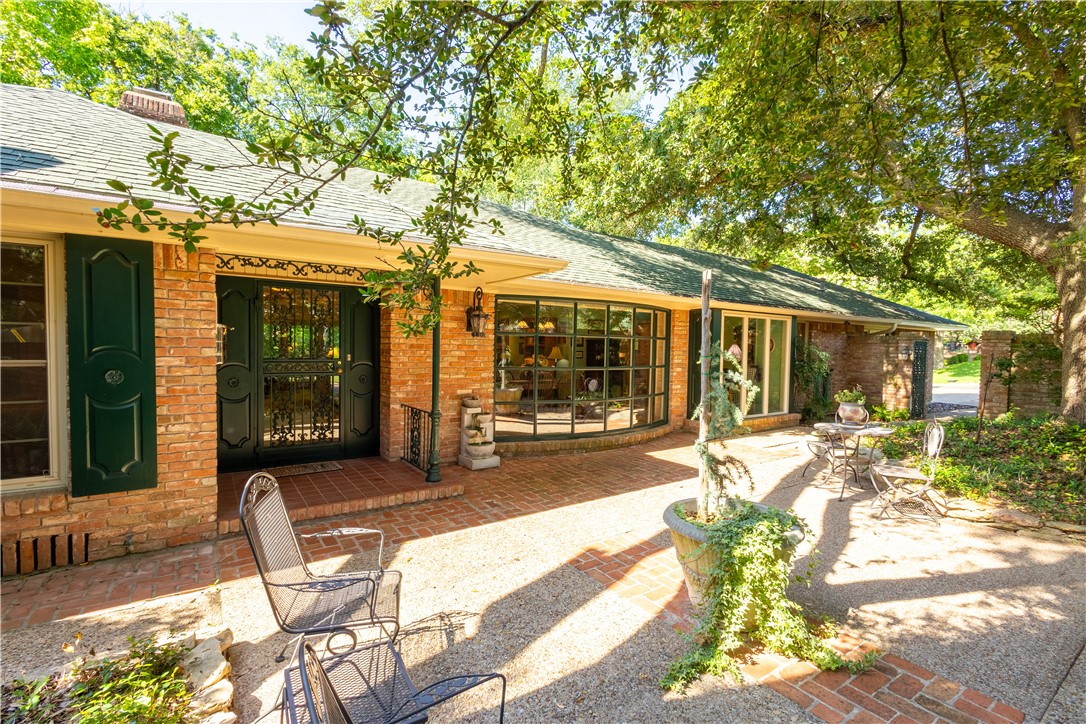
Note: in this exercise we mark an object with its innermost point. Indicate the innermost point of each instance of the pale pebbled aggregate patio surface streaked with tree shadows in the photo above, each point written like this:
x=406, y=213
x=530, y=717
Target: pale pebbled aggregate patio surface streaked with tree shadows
x=1002, y=614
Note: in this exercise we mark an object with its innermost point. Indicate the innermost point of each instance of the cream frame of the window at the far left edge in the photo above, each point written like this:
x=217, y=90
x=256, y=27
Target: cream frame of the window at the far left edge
x=56, y=363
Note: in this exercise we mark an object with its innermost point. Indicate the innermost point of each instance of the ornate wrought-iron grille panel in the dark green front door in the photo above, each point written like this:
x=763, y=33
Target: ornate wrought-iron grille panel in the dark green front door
x=301, y=367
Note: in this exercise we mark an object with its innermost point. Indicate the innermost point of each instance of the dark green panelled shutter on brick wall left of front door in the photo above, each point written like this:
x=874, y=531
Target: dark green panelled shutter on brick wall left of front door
x=111, y=365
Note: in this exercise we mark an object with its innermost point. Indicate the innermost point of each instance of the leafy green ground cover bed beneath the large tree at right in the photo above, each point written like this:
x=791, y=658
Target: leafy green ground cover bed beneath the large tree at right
x=1037, y=465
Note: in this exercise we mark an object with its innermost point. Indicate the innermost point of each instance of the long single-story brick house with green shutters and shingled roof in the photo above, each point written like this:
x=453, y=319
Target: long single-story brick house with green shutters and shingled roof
x=134, y=373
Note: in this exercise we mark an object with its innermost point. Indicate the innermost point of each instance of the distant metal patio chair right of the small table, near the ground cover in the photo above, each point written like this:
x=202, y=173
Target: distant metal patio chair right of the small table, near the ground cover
x=910, y=490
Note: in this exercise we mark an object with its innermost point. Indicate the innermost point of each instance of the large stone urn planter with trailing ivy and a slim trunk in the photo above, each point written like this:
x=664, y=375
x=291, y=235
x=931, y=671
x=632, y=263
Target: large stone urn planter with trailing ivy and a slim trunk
x=737, y=554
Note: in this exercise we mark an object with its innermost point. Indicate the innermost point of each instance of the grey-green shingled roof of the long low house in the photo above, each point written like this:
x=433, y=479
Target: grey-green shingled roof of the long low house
x=57, y=143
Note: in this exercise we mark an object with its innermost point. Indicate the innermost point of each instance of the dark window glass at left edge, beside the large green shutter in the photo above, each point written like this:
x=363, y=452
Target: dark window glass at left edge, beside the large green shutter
x=24, y=388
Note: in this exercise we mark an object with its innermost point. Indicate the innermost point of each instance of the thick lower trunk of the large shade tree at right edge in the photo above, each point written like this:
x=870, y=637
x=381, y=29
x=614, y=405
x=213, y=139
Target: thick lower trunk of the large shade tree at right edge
x=1071, y=287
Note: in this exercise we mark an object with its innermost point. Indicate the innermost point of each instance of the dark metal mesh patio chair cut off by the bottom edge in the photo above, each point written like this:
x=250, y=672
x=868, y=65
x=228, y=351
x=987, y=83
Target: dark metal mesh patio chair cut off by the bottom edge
x=368, y=684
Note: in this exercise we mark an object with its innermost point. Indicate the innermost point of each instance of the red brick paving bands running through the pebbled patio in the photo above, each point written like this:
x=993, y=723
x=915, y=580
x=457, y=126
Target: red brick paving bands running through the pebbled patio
x=640, y=571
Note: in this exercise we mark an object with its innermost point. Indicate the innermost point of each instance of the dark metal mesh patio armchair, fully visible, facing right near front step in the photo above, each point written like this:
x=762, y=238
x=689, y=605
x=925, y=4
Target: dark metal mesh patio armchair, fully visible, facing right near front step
x=305, y=603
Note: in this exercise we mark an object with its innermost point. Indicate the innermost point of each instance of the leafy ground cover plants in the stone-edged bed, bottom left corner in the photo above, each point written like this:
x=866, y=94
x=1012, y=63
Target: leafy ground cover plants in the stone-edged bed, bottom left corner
x=145, y=688
